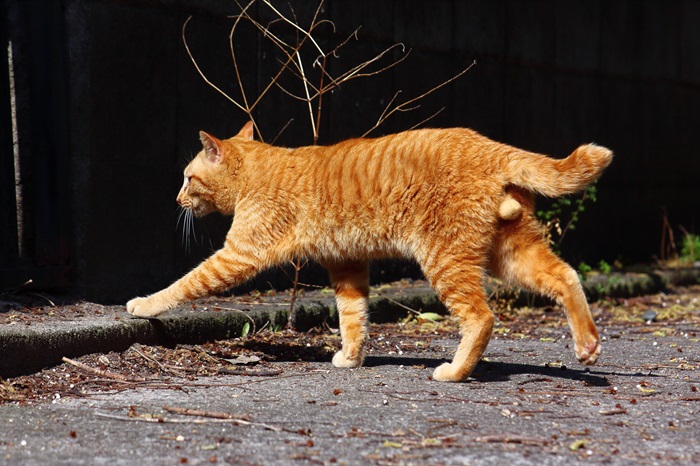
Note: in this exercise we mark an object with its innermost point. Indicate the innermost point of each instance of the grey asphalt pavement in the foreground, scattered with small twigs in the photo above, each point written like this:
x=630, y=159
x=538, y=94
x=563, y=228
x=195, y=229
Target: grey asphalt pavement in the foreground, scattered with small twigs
x=639, y=406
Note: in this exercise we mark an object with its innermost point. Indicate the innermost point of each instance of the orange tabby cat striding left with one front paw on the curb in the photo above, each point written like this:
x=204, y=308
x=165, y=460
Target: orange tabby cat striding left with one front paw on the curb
x=456, y=201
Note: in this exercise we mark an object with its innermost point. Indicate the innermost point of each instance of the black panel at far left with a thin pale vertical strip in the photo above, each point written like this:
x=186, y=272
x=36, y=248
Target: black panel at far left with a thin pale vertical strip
x=34, y=167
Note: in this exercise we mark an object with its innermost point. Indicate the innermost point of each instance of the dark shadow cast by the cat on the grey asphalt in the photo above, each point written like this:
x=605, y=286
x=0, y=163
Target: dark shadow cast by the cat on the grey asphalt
x=494, y=371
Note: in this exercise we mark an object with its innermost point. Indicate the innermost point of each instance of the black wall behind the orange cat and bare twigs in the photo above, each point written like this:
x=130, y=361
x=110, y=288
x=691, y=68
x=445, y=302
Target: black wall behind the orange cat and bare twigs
x=108, y=105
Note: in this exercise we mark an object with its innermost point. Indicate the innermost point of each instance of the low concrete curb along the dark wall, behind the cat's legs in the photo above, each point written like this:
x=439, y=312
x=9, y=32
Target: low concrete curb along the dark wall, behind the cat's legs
x=28, y=349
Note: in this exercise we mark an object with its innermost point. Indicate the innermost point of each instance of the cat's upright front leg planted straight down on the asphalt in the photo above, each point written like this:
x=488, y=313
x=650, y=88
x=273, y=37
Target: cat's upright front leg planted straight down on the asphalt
x=351, y=284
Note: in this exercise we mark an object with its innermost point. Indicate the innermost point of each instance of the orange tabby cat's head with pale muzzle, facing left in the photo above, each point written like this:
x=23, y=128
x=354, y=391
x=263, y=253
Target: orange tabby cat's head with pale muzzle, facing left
x=209, y=184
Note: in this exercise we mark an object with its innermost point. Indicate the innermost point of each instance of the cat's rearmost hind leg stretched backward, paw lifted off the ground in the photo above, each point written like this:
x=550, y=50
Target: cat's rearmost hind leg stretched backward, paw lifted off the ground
x=522, y=257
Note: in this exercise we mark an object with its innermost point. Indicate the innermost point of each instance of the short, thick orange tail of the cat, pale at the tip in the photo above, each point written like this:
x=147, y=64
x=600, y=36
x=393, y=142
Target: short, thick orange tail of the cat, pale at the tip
x=557, y=177
